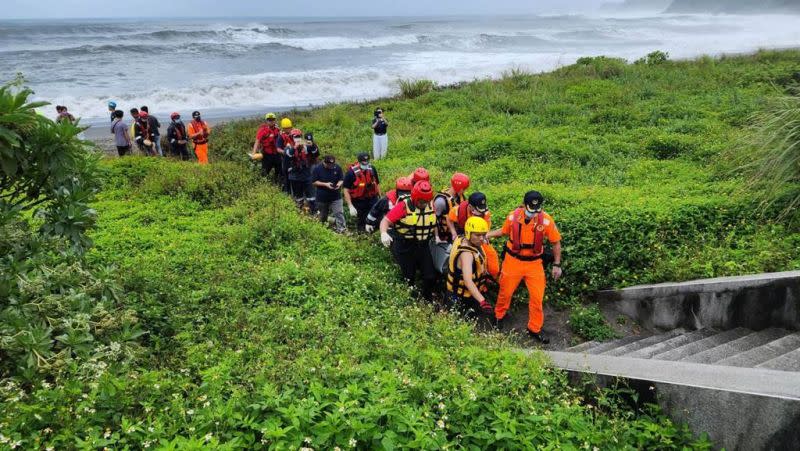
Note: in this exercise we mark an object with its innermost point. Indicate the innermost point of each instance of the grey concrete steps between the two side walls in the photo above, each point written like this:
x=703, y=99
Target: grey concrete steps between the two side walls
x=772, y=348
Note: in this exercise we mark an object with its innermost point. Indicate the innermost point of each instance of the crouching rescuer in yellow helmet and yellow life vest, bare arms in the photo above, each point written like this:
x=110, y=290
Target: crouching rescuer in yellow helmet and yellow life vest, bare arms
x=467, y=272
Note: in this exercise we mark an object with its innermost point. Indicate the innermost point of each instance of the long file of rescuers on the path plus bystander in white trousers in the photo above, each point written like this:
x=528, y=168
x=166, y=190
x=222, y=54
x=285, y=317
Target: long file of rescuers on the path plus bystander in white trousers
x=438, y=235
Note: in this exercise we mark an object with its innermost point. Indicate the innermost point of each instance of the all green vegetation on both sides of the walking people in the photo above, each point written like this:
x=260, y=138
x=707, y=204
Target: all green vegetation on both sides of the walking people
x=232, y=321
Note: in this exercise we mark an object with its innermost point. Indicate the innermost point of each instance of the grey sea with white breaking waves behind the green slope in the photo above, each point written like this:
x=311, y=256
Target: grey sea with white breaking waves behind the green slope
x=228, y=67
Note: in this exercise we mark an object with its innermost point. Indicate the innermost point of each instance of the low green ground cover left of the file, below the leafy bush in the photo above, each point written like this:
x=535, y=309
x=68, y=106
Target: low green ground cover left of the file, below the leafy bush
x=266, y=330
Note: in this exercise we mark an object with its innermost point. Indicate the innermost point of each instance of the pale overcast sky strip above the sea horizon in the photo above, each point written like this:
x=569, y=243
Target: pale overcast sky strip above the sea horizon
x=26, y=9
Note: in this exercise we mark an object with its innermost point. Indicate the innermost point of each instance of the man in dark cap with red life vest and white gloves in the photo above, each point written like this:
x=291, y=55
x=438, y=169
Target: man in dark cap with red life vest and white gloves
x=361, y=189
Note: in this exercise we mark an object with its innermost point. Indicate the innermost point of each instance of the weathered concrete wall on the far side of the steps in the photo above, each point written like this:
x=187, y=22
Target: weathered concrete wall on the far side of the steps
x=755, y=302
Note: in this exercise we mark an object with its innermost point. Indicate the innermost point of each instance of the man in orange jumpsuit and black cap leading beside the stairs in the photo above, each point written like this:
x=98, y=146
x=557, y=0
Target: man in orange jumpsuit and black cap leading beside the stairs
x=527, y=227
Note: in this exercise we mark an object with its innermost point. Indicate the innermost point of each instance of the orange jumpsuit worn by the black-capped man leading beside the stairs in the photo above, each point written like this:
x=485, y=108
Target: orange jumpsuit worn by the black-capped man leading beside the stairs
x=515, y=270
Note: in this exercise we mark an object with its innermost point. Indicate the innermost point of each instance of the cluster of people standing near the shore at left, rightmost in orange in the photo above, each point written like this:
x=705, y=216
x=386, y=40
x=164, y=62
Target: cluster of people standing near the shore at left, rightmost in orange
x=145, y=132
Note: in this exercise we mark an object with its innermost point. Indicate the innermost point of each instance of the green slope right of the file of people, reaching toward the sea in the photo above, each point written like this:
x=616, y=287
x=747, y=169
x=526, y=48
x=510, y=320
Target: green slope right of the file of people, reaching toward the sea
x=632, y=159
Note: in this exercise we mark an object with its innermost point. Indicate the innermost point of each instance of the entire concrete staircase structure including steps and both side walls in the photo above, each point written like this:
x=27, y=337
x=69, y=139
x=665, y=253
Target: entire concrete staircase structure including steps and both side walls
x=728, y=363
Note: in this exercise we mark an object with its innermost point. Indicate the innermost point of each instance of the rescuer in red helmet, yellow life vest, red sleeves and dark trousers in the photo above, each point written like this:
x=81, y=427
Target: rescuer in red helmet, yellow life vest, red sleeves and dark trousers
x=413, y=224
